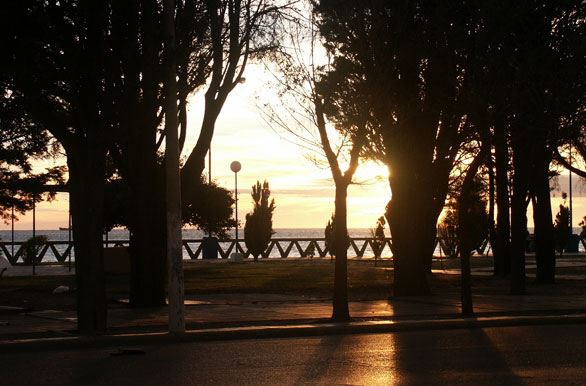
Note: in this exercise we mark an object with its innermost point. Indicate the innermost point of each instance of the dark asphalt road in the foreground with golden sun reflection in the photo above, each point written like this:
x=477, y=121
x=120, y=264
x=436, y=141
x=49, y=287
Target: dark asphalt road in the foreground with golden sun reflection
x=526, y=355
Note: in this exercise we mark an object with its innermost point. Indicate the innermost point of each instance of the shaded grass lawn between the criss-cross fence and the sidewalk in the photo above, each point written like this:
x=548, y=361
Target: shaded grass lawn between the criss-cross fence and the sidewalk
x=301, y=277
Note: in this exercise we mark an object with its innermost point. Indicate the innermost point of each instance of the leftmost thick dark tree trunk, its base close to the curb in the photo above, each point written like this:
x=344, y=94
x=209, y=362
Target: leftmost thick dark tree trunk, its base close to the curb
x=86, y=183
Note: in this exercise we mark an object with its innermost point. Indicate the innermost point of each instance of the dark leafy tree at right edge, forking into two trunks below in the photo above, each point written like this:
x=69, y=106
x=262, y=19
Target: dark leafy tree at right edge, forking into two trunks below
x=543, y=93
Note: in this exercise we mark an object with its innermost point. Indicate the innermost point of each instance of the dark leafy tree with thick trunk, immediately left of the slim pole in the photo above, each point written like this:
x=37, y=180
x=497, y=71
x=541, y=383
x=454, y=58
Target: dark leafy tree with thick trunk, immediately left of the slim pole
x=137, y=74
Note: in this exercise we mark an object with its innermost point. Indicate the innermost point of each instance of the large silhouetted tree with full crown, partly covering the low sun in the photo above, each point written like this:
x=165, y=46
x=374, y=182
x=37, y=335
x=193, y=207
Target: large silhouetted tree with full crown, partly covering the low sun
x=407, y=62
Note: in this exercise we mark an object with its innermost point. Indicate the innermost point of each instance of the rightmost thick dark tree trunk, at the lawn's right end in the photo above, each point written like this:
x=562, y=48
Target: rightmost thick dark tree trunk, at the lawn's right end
x=544, y=232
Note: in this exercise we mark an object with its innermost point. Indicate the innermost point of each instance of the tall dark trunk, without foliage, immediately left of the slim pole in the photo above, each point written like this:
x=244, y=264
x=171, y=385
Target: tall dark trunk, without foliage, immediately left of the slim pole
x=145, y=175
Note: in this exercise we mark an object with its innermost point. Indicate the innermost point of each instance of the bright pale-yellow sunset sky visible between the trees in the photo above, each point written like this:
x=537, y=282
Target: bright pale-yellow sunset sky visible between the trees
x=303, y=192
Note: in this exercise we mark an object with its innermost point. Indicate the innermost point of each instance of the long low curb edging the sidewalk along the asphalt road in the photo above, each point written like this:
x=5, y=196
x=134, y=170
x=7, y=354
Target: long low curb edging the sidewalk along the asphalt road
x=264, y=332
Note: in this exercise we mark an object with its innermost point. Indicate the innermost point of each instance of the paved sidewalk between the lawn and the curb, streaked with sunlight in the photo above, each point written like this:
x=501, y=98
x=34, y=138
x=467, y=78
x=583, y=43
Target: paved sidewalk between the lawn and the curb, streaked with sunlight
x=229, y=316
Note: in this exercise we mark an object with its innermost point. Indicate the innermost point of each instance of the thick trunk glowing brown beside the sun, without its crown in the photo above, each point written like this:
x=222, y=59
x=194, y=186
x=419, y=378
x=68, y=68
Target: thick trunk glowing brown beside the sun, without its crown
x=419, y=173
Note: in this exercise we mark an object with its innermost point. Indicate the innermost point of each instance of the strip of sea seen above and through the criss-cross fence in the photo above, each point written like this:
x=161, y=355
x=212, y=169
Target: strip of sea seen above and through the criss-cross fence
x=118, y=236
